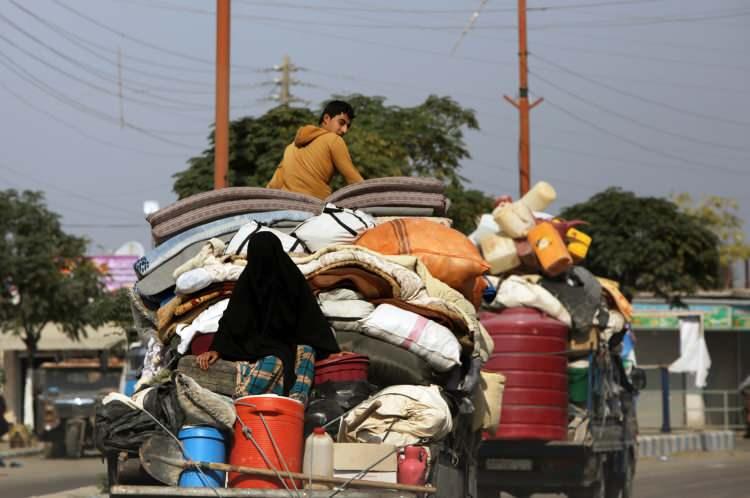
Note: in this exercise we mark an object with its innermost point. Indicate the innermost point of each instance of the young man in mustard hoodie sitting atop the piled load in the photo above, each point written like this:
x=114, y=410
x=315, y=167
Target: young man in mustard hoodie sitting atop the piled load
x=318, y=152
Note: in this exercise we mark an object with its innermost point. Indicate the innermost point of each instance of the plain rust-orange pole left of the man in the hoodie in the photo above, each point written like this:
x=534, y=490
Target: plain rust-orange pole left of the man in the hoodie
x=221, y=136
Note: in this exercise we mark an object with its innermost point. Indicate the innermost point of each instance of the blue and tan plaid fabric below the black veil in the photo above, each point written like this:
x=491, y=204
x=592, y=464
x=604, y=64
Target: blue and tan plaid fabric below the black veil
x=267, y=376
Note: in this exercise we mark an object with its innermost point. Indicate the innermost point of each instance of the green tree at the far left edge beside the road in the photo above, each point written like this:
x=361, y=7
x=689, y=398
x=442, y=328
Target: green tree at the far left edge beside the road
x=44, y=274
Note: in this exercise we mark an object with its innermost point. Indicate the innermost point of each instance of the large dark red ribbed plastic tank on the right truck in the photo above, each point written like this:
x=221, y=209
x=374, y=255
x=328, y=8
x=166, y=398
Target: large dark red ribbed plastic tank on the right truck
x=527, y=352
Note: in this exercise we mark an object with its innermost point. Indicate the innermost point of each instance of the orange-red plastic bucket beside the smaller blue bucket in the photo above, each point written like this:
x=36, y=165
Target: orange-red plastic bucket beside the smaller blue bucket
x=284, y=419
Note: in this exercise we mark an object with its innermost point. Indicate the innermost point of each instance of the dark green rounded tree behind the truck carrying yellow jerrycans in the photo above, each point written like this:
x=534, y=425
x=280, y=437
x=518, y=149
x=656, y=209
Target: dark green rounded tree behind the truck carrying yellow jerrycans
x=647, y=244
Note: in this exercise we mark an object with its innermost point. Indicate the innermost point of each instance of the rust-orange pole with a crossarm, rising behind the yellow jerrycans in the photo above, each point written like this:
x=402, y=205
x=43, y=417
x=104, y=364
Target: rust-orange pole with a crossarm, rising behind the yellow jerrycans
x=522, y=104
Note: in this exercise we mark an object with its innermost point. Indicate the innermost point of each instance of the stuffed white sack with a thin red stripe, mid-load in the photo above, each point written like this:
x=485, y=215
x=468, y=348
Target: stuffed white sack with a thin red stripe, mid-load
x=429, y=340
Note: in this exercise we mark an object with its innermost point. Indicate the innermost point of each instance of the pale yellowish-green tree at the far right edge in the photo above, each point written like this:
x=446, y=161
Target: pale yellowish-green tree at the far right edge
x=719, y=214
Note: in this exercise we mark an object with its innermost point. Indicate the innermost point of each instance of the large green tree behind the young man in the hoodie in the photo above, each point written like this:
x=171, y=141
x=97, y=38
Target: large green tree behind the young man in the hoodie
x=424, y=140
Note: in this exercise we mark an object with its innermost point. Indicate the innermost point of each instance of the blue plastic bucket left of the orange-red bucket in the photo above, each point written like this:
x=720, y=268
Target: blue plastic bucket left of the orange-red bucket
x=205, y=444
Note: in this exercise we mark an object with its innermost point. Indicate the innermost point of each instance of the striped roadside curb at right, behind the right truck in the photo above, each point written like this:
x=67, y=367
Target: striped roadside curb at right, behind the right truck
x=666, y=444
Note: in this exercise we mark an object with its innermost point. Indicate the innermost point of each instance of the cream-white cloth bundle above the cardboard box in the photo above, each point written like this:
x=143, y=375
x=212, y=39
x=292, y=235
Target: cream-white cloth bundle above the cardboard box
x=407, y=413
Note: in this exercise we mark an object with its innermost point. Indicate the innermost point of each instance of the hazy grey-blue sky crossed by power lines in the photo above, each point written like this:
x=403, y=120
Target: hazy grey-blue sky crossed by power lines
x=649, y=95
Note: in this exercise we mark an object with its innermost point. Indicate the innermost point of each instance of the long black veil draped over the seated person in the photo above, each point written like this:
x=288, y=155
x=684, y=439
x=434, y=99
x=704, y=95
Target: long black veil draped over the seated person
x=271, y=311
